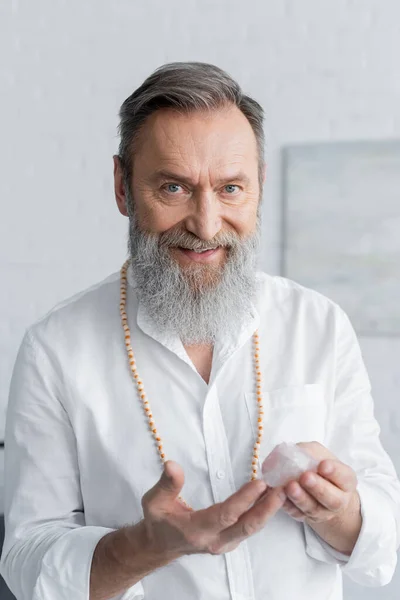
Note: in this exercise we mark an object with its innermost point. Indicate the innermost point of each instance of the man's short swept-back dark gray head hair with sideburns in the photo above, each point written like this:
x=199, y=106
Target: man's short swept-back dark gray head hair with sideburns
x=186, y=87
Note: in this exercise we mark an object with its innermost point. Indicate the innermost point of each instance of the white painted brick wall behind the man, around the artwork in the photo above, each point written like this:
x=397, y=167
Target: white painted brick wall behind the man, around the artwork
x=323, y=70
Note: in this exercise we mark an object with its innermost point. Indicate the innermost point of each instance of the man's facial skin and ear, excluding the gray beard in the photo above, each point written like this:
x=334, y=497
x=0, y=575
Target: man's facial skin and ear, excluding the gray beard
x=198, y=174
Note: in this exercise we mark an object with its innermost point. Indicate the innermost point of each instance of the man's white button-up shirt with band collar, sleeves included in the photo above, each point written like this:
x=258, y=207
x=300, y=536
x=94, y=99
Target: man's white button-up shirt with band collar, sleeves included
x=79, y=455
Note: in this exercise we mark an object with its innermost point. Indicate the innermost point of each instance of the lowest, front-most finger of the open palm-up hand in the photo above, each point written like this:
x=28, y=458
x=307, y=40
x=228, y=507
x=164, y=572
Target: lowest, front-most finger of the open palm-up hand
x=254, y=519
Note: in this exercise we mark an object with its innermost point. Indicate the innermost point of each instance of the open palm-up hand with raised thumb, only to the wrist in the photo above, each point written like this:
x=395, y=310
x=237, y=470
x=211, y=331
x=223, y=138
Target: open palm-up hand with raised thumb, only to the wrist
x=174, y=530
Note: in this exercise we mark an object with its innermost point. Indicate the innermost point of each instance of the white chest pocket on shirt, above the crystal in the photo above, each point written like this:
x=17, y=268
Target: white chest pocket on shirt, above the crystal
x=291, y=414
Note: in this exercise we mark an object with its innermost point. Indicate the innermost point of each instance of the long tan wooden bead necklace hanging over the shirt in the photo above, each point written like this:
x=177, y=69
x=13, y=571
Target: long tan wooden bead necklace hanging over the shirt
x=146, y=404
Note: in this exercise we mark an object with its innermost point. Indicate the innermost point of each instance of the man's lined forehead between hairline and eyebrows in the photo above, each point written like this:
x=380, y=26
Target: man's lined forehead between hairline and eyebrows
x=223, y=136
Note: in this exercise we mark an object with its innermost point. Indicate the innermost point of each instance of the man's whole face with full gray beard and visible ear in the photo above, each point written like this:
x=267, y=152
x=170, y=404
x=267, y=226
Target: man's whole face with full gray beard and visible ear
x=192, y=204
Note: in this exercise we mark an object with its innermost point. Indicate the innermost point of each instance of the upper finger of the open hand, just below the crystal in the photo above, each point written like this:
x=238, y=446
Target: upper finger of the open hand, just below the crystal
x=223, y=515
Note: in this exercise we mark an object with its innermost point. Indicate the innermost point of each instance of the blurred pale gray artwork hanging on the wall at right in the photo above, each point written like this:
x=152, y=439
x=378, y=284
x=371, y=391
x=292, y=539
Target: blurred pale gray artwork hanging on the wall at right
x=341, y=228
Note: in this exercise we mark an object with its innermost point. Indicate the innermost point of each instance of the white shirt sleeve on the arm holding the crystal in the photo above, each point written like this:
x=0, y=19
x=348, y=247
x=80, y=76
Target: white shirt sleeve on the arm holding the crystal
x=353, y=436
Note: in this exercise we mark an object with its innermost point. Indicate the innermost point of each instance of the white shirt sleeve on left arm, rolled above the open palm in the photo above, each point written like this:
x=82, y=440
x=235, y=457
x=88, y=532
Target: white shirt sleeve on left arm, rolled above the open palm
x=48, y=549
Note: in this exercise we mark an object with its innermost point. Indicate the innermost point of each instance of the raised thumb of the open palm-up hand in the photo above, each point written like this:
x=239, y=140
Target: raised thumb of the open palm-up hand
x=165, y=492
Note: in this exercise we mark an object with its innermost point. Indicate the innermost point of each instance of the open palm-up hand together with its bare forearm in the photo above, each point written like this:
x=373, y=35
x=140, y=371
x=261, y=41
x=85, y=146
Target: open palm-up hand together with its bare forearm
x=170, y=530
